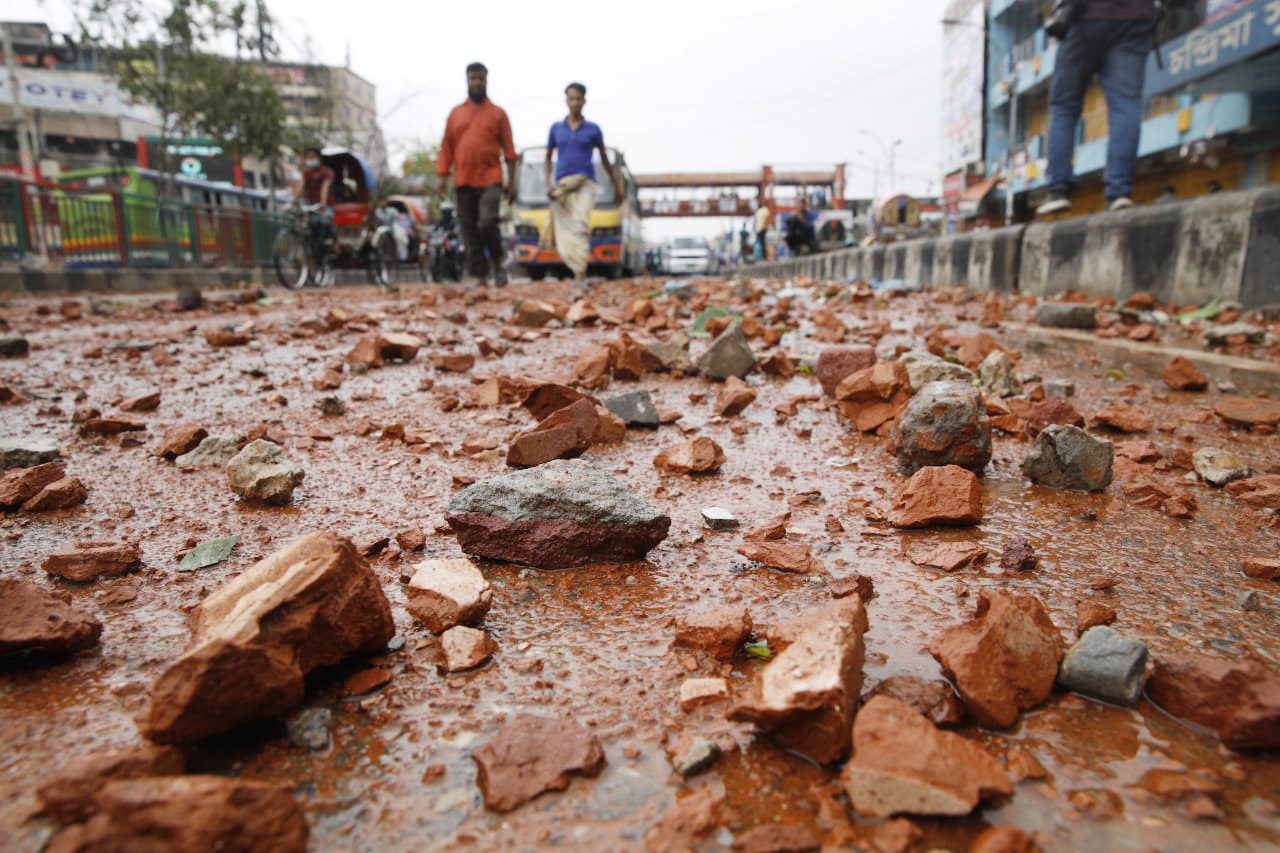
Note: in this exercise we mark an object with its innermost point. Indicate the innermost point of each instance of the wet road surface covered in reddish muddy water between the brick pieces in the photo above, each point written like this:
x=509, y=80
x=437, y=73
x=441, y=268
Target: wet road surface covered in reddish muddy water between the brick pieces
x=595, y=645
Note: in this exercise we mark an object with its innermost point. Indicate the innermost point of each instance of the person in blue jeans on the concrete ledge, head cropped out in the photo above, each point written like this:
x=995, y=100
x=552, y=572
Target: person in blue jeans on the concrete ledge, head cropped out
x=1109, y=39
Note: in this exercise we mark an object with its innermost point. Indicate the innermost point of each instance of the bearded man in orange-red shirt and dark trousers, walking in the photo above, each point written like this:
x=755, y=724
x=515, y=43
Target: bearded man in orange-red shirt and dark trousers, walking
x=477, y=140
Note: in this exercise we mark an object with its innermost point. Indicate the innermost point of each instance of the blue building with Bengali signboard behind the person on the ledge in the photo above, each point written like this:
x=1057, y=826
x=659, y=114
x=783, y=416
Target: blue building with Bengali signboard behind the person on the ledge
x=1212, y=112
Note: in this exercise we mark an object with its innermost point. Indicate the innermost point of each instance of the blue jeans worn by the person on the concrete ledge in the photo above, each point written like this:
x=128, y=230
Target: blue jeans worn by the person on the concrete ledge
x=1117, y=52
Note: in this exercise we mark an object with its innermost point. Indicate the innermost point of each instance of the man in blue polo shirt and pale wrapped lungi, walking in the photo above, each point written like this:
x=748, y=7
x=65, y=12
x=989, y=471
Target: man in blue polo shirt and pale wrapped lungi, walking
x=573, y=194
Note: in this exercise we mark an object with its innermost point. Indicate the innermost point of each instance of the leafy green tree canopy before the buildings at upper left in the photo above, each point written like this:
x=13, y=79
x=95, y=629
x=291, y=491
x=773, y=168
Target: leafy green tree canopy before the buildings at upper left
x=198, y=63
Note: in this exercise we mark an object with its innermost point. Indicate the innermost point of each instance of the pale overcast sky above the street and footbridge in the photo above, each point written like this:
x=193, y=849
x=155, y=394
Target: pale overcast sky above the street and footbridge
x=676, y=85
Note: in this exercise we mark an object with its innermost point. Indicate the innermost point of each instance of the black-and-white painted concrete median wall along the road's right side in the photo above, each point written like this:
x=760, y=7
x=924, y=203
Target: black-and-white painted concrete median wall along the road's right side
x=1226, y=245
